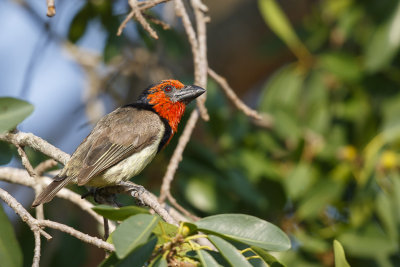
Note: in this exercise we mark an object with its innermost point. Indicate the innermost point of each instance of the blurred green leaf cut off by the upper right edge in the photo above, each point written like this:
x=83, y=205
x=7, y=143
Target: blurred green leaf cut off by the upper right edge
x=384, y=43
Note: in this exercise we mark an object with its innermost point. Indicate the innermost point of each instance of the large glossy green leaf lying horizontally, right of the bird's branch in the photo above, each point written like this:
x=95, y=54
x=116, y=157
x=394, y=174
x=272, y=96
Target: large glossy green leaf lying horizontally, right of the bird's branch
x=246, y=229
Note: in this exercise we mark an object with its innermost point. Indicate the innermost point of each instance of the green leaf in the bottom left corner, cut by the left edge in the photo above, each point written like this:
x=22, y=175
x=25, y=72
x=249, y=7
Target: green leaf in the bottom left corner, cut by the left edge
x=10, y=251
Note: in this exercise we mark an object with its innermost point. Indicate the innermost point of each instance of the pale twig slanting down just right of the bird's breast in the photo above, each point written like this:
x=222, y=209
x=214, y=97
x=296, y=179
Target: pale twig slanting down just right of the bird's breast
x=177, y=155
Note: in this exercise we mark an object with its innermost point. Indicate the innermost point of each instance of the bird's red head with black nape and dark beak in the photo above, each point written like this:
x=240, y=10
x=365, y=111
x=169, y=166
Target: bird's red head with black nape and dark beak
x=169, y=99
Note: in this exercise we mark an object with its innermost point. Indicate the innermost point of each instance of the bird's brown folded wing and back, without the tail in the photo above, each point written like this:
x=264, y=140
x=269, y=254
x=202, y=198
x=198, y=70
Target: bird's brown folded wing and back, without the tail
x=119, y=137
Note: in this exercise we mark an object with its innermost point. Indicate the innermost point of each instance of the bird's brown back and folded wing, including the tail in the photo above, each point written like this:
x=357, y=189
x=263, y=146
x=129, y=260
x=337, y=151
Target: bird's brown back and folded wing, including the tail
x=113, y=139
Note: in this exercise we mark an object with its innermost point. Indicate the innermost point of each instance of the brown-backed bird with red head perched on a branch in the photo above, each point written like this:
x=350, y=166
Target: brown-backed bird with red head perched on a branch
x=124, y=142
